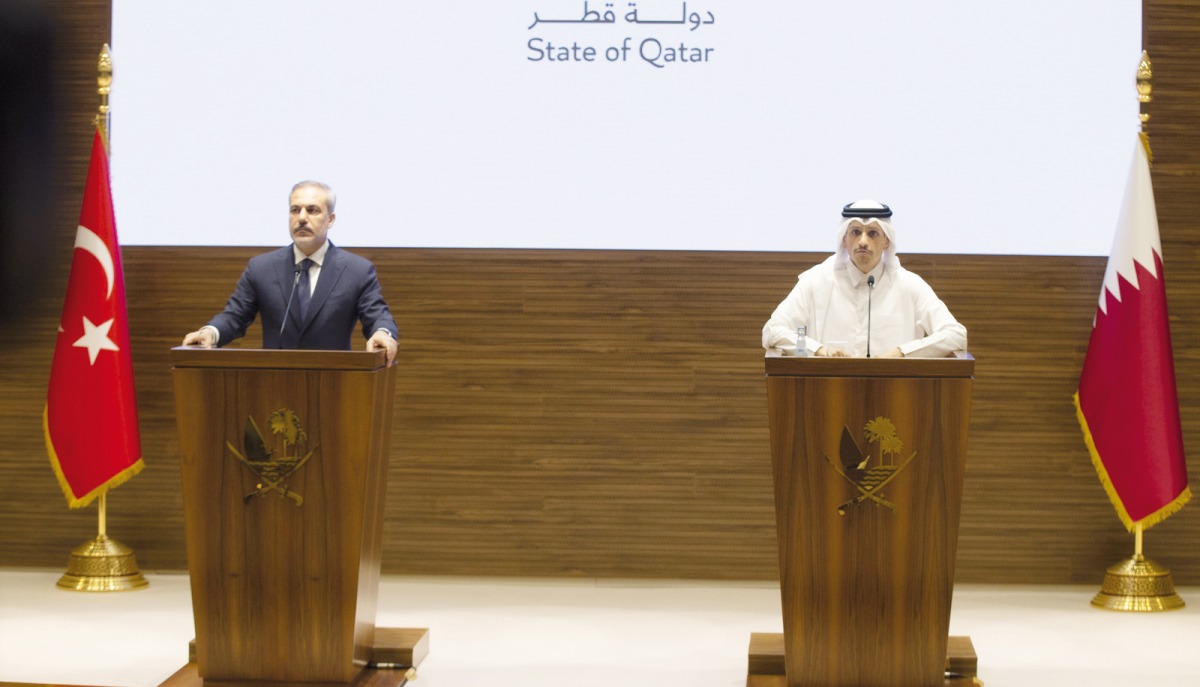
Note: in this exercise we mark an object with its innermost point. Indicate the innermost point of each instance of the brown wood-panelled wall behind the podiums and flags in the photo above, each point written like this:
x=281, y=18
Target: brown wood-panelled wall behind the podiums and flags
x=603, y=414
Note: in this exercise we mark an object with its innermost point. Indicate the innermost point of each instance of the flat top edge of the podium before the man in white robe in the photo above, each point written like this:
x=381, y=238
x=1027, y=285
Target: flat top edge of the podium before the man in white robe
x=781, y=366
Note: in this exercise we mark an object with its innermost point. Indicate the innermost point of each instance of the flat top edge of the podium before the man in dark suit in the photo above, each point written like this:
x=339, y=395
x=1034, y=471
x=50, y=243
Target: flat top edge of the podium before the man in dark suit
x=274, y=360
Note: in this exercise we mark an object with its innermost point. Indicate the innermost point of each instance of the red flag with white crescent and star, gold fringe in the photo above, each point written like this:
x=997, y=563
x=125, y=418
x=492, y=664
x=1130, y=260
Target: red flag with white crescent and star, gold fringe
x=92, y=419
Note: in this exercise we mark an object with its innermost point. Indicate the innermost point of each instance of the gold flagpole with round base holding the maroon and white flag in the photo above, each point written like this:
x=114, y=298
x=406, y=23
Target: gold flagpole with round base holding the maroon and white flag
x=1139, y=584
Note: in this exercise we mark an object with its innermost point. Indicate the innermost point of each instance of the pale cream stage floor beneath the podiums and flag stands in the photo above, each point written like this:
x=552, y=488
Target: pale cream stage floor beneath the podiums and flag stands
x=593, y=634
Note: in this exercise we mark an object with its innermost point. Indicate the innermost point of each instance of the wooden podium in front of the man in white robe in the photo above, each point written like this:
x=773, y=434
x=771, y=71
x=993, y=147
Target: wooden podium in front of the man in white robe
x=868, y=459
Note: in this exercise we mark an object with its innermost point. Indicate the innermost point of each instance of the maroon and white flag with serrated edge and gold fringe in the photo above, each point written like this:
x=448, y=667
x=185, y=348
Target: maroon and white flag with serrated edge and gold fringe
x=1127, y=402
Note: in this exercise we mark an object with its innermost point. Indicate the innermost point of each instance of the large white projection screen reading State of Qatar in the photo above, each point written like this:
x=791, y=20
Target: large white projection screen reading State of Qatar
x=989, y=128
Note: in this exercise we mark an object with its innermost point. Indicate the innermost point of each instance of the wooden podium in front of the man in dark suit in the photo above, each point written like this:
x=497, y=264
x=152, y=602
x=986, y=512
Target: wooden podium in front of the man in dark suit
x=285, y=464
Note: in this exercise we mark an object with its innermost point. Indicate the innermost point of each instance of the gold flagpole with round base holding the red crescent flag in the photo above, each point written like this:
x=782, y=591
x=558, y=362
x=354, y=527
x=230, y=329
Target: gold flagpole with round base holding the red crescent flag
x=103, y=565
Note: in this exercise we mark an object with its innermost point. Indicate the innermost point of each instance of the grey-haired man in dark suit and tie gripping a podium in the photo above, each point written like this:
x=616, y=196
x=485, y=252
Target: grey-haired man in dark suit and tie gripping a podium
x=309, y=294
